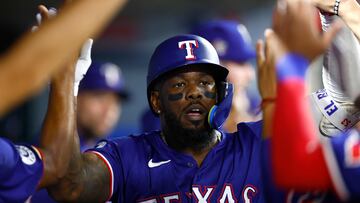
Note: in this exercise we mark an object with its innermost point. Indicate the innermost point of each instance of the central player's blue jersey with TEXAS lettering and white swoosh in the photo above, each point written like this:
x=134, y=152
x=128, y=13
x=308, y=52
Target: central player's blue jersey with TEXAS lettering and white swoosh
x=145, y=170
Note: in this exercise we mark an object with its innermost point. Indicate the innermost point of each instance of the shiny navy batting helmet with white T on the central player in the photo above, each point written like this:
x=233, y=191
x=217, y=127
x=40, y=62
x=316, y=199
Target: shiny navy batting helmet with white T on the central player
x=178, y=53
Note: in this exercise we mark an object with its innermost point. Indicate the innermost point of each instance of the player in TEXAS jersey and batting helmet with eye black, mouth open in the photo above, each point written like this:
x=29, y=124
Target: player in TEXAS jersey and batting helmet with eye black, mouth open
x=190, y=159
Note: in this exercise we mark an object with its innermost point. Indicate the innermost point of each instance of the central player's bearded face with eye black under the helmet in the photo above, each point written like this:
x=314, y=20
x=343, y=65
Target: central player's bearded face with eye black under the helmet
x=189, y=96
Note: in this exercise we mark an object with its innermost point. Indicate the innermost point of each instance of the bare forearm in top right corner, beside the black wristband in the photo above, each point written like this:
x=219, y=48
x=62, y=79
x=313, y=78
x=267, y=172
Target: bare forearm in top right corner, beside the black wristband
x=350, y=13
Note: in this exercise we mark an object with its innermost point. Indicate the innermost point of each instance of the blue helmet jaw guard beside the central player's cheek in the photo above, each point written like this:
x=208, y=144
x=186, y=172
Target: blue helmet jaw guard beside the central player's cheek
x=220, y=112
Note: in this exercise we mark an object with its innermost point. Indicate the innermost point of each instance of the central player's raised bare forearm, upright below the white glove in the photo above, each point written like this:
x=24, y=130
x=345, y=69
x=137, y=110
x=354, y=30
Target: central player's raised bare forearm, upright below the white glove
x=57, y=136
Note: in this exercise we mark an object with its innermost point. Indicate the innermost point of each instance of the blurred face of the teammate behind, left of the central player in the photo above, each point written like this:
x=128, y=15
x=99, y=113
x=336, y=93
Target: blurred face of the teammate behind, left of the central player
x=98, y=112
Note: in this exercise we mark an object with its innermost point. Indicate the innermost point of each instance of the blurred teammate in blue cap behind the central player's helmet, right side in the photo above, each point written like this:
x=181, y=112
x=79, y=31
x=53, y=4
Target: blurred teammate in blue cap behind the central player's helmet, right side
x=233, y=44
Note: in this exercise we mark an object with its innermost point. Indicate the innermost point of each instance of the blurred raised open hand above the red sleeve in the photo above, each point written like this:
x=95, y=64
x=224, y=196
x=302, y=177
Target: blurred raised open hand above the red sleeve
x=295, y=24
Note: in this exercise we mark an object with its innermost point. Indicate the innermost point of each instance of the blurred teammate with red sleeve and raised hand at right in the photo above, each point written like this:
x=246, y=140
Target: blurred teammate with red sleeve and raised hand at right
x=324, y=163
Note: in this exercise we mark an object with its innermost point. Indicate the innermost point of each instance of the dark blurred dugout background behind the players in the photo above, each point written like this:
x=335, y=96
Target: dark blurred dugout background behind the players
x=128, y=41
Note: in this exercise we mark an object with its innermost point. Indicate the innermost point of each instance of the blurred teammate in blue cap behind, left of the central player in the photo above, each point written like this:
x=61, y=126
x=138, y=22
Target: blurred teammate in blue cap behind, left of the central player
x=100, y=98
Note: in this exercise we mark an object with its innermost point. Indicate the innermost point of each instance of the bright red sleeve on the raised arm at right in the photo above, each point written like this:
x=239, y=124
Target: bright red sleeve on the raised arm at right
x=297, y=157
